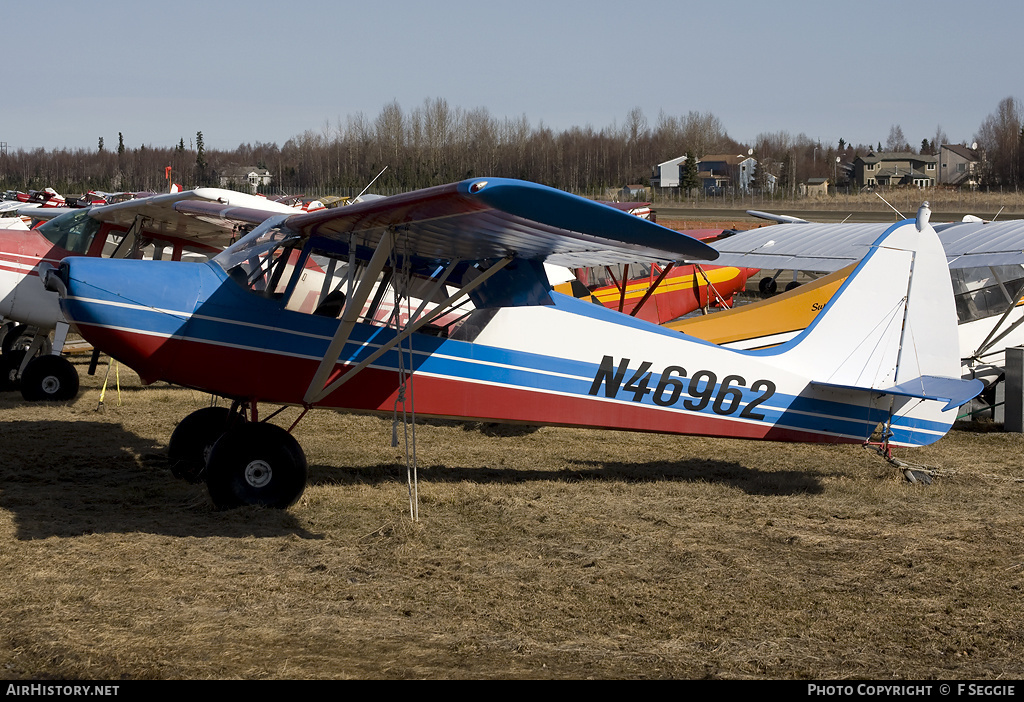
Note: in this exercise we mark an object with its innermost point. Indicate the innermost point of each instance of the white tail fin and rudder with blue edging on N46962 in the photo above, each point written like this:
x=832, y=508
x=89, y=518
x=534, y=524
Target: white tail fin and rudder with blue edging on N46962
x=898, y=312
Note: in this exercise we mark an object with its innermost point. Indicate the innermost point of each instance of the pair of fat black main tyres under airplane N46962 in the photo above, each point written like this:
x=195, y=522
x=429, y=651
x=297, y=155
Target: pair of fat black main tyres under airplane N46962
x=242, y=462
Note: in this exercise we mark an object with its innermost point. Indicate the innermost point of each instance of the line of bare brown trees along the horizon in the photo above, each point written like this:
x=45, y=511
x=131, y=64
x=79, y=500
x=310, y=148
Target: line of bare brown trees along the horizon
x=436, y=144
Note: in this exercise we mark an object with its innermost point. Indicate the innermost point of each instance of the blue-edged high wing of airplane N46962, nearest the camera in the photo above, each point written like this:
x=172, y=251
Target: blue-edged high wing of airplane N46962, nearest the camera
x=491, y=218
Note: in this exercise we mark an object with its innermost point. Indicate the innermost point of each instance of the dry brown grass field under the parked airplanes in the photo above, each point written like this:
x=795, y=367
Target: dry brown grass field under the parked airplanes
x=550, y=554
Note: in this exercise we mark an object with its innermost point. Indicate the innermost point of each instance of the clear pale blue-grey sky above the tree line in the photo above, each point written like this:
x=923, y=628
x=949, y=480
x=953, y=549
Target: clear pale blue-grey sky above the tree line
x=268, y=72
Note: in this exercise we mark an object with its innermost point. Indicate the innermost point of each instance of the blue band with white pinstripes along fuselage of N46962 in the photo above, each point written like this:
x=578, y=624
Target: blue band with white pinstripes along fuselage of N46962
x=231, y=316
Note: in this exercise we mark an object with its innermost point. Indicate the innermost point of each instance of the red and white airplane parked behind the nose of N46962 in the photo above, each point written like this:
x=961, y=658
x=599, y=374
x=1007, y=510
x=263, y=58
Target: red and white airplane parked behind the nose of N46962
x=145, y=227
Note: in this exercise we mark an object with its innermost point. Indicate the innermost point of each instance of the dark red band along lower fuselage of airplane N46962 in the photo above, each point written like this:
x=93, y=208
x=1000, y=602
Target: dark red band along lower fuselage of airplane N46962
x=271, y=378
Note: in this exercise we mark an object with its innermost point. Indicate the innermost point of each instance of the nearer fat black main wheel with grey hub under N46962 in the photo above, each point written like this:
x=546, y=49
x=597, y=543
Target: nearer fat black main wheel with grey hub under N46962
x=257, y=464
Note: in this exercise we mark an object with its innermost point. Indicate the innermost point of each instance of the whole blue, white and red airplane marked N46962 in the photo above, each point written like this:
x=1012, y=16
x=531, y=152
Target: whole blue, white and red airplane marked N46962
x=232, y=327
